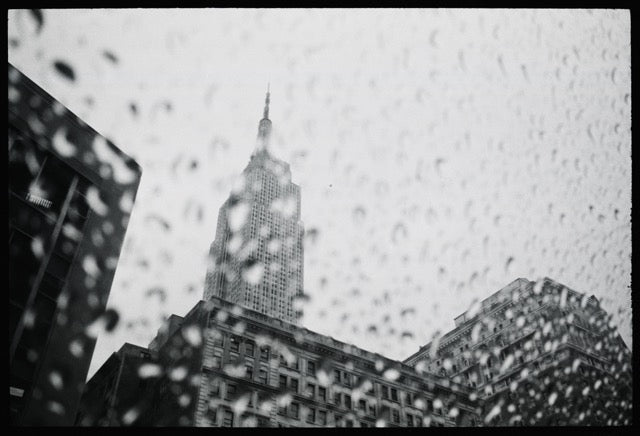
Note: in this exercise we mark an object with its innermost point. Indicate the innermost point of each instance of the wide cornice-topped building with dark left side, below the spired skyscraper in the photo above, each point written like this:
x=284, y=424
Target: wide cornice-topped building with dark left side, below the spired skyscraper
x=230, y=366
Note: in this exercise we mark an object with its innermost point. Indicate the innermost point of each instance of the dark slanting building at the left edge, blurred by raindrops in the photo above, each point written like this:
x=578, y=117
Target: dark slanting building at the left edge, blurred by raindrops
x=70, y=197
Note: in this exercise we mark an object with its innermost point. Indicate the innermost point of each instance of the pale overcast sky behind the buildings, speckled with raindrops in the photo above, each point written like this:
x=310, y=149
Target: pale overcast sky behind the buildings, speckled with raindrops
x=441, y=153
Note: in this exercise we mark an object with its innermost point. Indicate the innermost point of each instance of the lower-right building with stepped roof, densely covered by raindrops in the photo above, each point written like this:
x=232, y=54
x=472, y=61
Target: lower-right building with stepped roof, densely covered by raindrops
x=537, y=353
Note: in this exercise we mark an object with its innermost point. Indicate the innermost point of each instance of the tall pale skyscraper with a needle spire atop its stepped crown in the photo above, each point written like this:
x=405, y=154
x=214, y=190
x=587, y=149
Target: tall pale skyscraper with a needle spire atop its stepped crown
x=256, y=259
